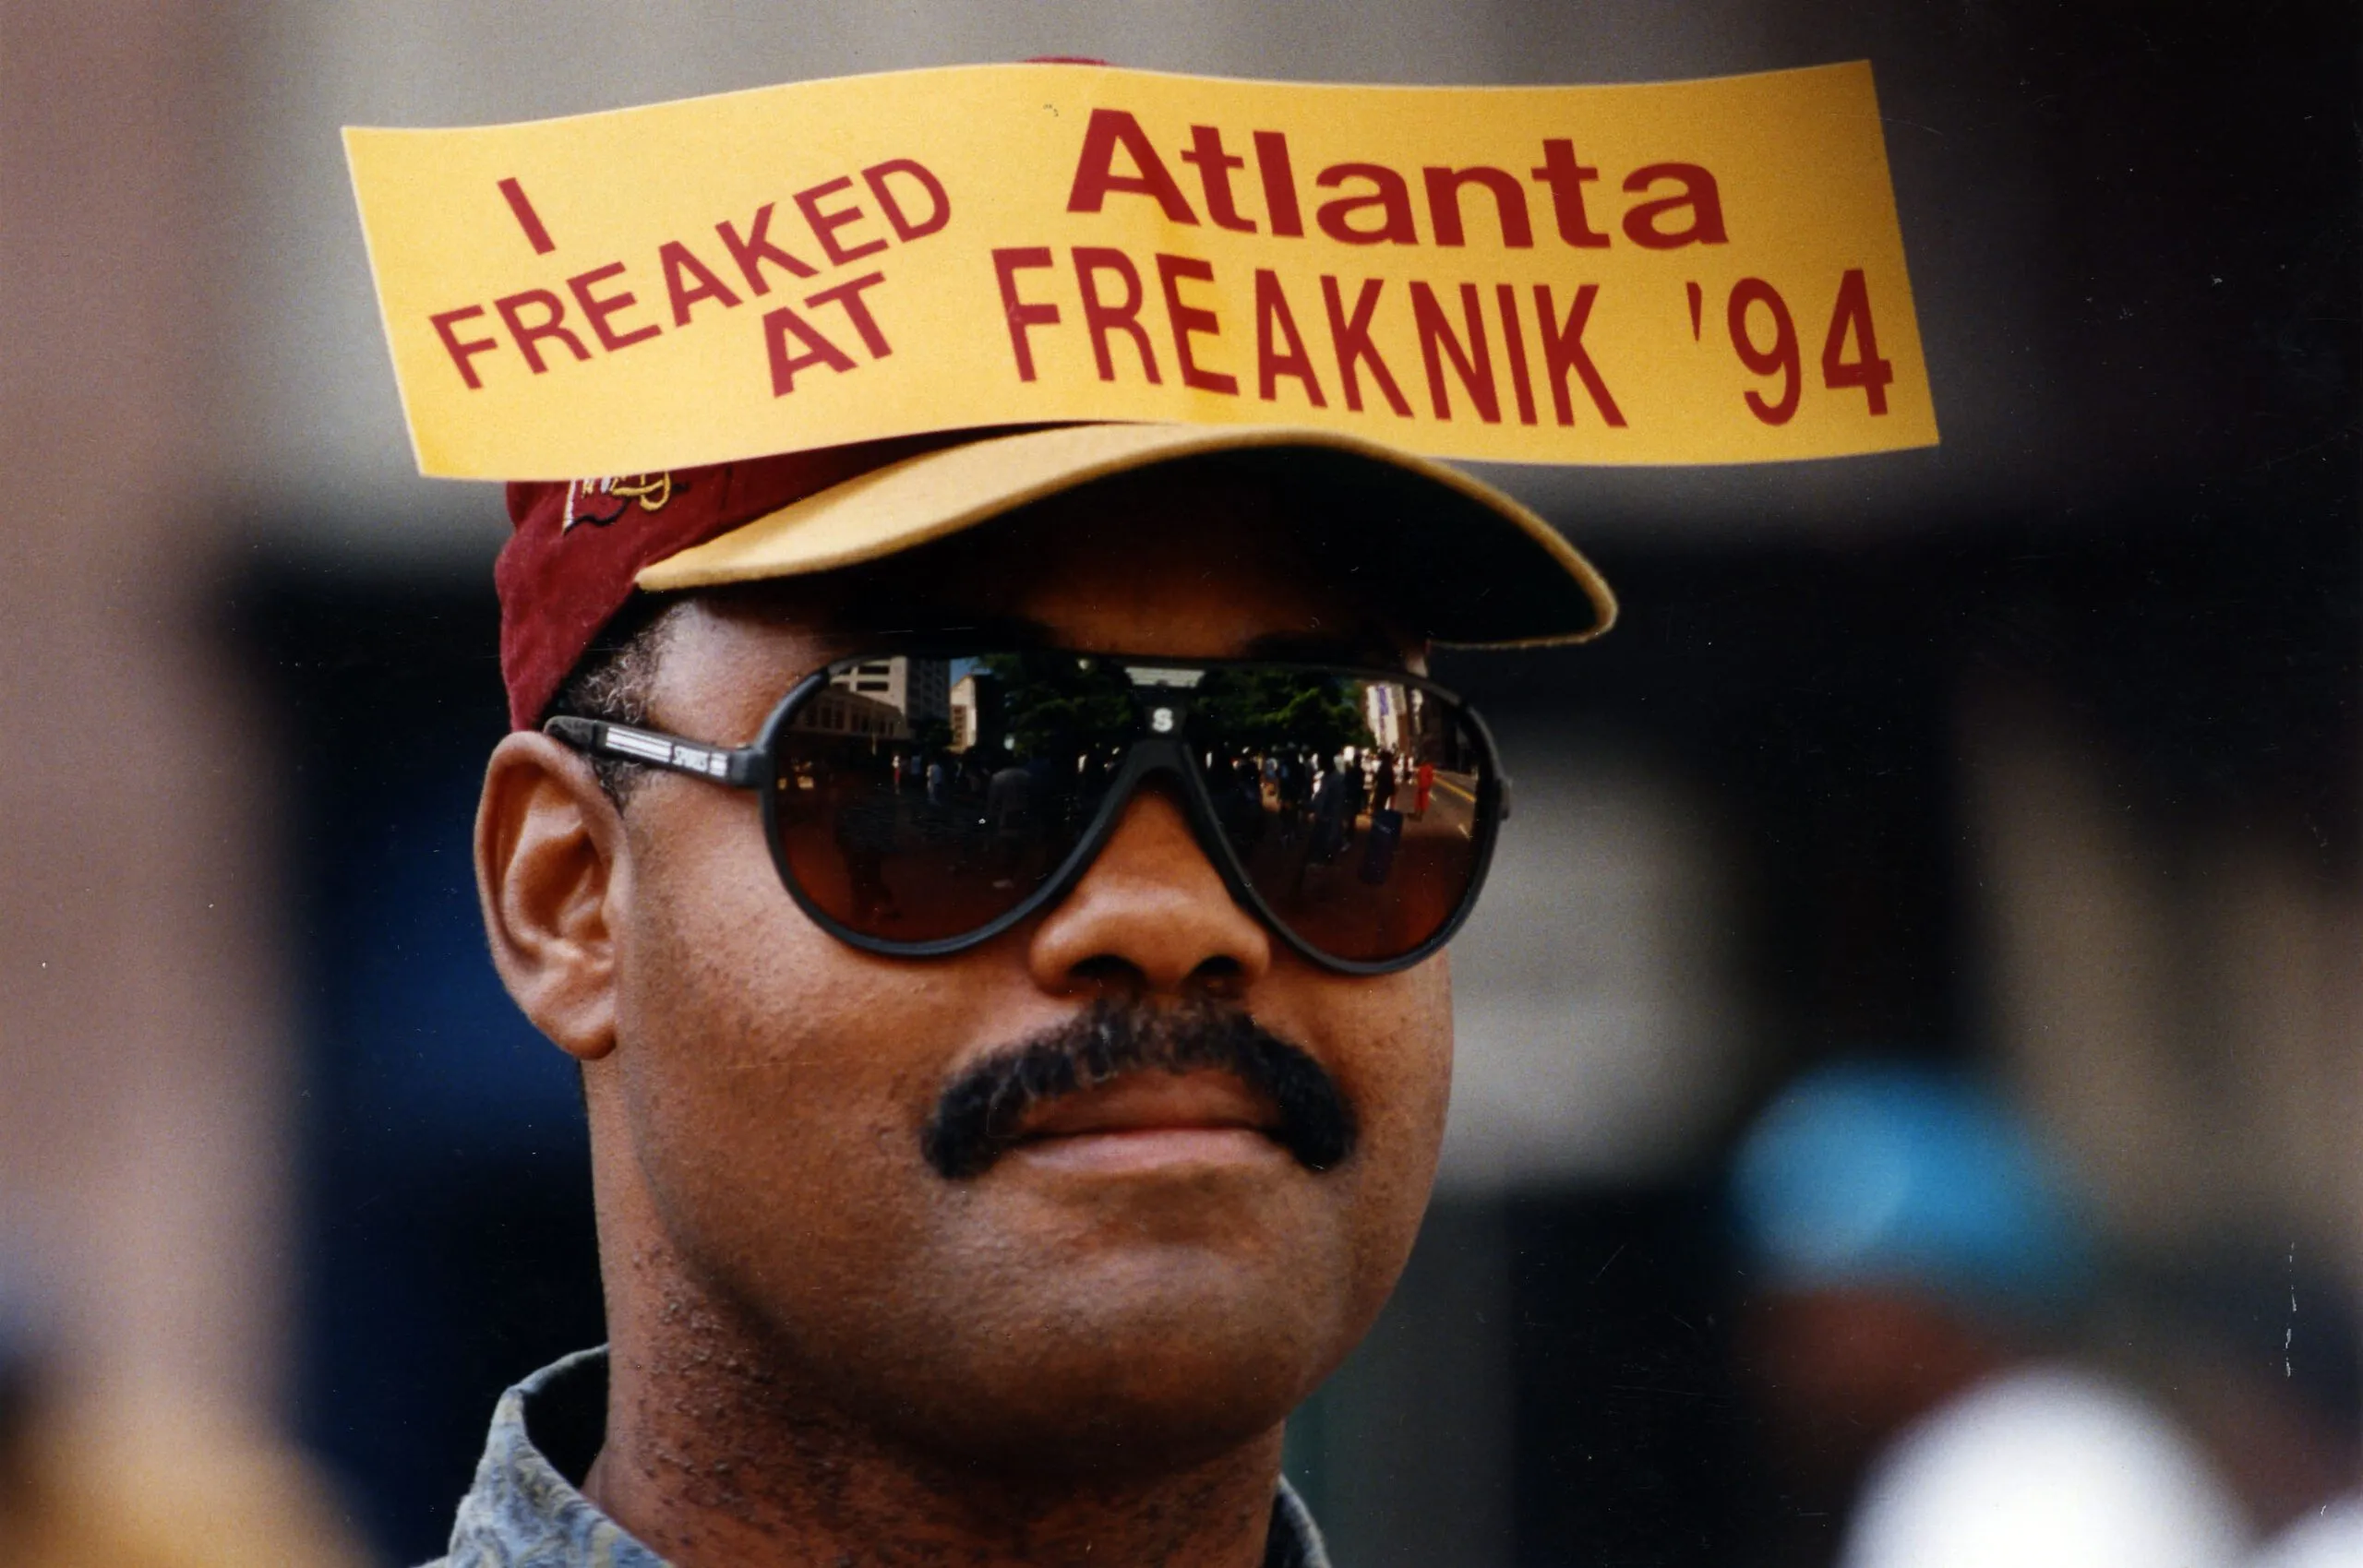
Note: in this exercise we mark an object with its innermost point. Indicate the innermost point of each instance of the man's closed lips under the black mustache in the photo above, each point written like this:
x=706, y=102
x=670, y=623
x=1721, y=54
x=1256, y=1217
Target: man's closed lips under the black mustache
x=1154, y=1121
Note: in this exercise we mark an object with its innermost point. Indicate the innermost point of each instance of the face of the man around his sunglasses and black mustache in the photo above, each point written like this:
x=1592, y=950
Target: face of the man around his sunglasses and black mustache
x=1150, y=1279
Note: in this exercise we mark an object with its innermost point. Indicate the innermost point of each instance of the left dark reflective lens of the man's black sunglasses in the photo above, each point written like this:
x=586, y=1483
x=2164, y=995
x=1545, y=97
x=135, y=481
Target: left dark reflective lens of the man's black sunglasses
x=925, y=799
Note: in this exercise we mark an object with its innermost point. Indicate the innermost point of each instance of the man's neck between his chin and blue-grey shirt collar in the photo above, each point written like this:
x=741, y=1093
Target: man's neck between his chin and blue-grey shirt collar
x=720, y=1453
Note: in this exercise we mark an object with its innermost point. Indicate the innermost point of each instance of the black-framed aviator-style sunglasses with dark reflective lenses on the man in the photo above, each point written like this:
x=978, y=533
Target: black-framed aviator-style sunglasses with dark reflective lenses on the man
x=918, y=806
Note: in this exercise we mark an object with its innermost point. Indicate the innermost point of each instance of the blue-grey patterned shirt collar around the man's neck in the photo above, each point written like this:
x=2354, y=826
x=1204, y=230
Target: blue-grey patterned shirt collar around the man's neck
x=528, y=1513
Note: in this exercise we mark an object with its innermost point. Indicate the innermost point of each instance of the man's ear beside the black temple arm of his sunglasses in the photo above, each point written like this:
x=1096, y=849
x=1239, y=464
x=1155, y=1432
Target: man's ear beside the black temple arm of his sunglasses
x=552, y=870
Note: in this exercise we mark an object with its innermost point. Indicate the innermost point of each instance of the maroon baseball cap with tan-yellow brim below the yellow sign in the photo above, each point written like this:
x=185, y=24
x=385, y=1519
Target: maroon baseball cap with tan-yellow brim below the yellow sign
x=1447, y=554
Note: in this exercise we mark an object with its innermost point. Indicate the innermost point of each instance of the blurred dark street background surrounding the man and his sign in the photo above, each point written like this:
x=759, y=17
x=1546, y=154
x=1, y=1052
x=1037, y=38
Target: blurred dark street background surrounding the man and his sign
x=1925, y=967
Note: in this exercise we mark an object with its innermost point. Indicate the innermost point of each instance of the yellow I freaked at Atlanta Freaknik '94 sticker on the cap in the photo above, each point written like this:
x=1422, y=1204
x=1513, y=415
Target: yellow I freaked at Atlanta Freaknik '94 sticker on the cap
x=1677, y=273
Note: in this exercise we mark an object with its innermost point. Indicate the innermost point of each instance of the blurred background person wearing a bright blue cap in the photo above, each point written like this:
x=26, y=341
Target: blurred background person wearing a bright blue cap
x=1915, y=1265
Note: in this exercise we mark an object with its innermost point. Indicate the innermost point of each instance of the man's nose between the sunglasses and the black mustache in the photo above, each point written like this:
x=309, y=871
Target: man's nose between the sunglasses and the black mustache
x=1152, y=917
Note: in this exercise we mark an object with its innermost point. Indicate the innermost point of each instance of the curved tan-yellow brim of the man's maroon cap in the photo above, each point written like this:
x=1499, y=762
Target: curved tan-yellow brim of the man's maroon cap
x=1502, y=577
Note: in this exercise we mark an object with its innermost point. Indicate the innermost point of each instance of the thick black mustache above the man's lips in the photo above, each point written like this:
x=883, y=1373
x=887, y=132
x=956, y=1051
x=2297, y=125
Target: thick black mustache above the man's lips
x=982, y=1111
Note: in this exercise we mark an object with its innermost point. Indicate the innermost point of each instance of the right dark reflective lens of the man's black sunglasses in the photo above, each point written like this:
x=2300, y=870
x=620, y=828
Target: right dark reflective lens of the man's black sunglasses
x=1350, y=802
